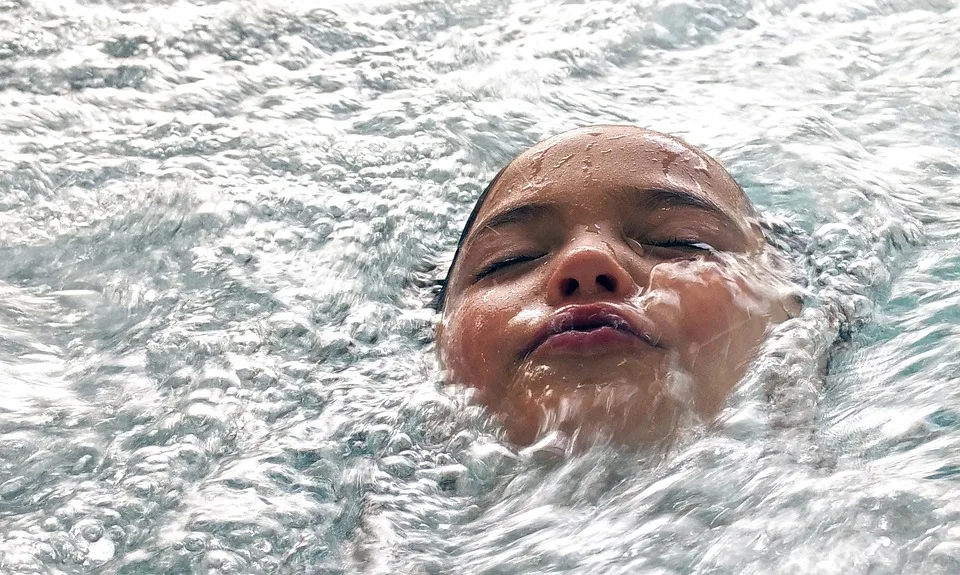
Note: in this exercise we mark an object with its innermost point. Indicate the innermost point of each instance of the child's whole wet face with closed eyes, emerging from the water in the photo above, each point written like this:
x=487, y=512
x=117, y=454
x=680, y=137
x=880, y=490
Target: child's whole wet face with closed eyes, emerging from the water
x=610, y=286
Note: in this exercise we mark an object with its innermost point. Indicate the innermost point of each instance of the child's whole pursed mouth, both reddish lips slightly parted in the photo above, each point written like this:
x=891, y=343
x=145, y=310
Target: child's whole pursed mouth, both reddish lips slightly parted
x=589, y=329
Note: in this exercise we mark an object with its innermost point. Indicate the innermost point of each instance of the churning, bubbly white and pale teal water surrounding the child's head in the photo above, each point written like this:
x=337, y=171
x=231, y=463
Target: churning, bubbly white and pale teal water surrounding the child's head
x=219, y=224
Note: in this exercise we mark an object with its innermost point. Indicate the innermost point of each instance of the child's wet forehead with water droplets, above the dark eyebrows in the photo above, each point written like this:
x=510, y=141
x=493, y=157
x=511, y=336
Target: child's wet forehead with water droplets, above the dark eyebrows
x=575, y=166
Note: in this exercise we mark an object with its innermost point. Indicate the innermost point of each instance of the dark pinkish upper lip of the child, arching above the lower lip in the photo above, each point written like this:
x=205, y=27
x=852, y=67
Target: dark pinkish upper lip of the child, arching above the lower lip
x=588, y=317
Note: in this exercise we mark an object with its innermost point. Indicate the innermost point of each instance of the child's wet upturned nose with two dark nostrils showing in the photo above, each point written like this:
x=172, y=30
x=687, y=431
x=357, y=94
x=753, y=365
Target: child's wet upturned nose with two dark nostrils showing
x=587, y=273
